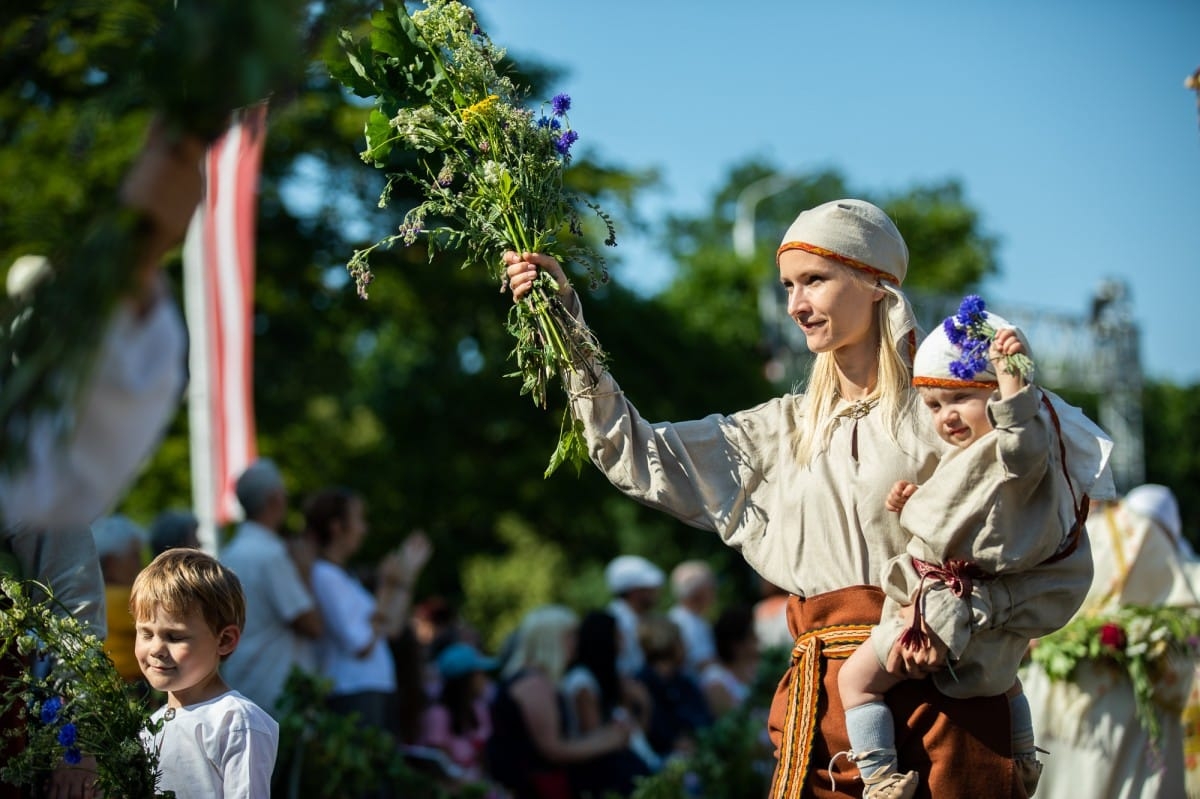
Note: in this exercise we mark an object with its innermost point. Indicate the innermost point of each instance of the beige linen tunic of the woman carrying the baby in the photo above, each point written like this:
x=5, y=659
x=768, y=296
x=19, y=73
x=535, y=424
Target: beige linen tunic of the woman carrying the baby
x=809, y=530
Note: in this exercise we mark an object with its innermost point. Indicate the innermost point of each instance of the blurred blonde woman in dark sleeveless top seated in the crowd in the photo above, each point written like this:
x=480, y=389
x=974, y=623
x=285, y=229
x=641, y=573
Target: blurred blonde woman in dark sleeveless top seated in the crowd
x=529, y=752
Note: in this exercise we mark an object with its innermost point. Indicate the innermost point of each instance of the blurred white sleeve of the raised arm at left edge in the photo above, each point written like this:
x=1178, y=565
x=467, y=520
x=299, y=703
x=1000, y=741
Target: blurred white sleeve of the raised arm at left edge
x=124, y=408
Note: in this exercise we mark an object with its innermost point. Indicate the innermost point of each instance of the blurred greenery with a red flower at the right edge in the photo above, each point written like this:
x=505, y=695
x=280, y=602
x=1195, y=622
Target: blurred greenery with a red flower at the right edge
x=1137, y=640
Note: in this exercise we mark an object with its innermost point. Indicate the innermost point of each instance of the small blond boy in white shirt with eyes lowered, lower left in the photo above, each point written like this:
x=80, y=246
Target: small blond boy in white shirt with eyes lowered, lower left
x=189, y=611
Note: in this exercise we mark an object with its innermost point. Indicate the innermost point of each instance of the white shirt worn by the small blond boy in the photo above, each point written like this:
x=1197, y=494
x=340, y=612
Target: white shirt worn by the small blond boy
x=225, y=747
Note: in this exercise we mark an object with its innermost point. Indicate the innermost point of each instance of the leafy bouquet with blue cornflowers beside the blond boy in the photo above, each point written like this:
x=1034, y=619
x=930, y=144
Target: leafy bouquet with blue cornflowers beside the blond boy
x=75, y=704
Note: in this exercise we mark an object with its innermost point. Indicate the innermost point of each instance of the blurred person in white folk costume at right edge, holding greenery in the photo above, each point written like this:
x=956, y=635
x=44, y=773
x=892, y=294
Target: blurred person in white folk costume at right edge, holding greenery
x=1090, y=723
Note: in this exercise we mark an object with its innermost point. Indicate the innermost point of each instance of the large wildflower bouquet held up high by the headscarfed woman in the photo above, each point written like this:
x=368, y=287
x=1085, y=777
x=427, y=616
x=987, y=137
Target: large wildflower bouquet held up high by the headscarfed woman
x=489, y=167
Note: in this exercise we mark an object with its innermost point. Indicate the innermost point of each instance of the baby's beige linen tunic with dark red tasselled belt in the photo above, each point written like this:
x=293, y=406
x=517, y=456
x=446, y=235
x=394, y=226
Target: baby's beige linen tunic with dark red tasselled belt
x=1001, y=504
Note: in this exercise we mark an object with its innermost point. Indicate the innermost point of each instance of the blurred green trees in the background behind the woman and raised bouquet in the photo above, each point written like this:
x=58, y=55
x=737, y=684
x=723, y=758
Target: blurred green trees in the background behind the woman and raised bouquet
x=404, y=397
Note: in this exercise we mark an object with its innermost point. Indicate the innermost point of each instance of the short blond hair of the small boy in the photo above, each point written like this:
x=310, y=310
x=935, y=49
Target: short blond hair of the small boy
x=182, y=581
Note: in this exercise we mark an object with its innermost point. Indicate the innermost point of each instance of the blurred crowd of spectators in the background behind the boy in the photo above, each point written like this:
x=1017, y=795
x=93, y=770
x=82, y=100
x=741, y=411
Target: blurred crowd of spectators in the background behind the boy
x=577, y=702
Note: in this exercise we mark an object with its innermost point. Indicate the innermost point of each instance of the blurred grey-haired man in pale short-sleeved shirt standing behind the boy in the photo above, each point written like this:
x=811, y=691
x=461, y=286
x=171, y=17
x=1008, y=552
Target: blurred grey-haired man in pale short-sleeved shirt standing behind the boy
x=283, y=620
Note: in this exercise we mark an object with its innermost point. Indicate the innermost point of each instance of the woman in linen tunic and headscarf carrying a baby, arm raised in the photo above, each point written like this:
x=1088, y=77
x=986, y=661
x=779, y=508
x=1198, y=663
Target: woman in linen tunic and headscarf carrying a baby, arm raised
x=799, y=485
